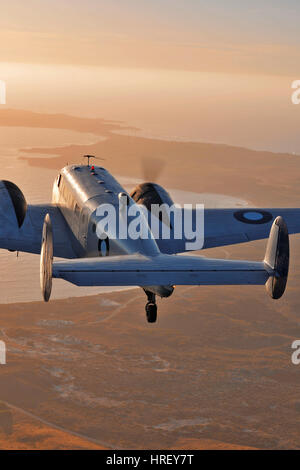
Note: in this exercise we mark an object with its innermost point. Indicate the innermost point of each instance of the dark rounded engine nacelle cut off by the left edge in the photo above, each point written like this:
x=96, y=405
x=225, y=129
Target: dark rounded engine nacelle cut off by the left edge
x=12, y=202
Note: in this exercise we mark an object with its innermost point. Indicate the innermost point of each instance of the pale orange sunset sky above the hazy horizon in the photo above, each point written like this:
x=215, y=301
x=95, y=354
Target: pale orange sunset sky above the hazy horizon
x=228, y=36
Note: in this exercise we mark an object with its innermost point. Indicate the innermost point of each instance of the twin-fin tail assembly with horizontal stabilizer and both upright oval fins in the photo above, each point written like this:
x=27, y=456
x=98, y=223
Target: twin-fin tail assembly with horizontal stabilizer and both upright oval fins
x=168, y=270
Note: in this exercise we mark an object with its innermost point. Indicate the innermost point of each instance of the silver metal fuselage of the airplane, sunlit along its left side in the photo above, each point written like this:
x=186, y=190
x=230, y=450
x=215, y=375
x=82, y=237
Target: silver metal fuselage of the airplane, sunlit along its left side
x=78, y=191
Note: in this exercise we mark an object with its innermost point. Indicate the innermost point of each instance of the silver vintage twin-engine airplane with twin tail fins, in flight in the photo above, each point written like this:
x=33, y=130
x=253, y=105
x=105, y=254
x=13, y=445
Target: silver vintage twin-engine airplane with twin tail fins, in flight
x=67, y=228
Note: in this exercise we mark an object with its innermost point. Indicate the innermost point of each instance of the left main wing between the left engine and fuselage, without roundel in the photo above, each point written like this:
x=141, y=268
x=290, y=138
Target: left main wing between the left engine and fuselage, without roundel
x=28, y=237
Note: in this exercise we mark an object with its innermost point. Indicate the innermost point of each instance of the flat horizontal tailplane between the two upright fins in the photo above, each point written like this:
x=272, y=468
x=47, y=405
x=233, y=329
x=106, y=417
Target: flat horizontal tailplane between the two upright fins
x=138, y=270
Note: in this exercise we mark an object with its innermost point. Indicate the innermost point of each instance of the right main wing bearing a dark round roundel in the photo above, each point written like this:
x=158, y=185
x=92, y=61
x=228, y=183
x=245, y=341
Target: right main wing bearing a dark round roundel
x=230, y=226
